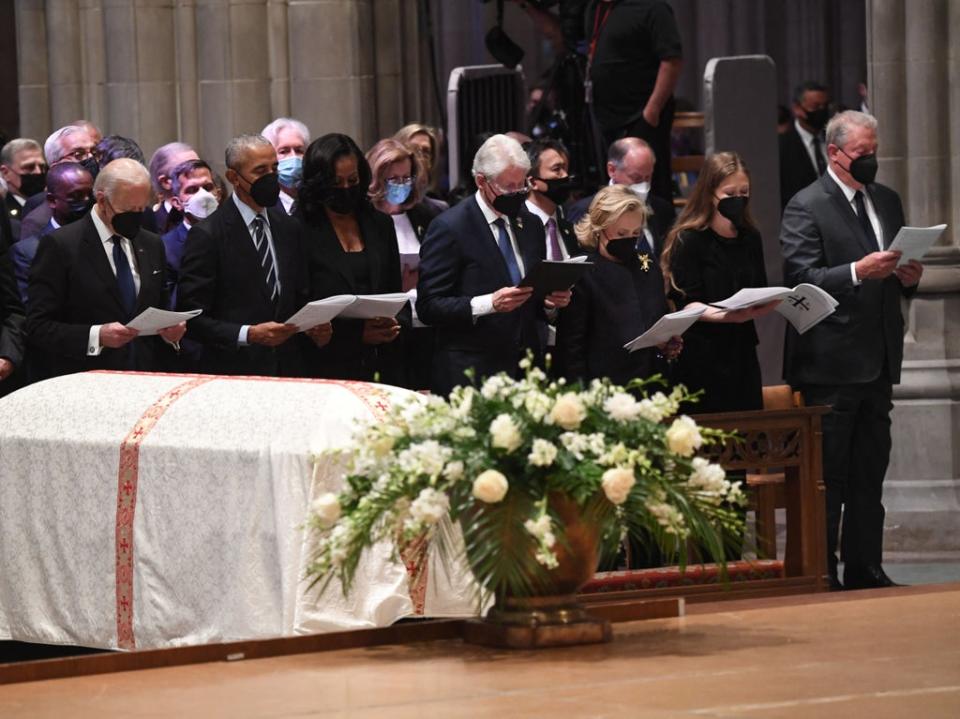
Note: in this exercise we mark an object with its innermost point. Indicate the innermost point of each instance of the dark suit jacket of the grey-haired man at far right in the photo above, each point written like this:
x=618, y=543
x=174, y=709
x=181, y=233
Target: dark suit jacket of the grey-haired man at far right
x=863, y=339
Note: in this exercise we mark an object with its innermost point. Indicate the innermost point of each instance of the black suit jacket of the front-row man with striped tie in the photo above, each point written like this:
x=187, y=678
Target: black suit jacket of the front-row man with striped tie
x=220, y=273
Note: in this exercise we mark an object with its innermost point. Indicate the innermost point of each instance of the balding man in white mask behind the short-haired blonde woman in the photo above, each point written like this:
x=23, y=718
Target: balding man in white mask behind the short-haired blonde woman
x=631, y=162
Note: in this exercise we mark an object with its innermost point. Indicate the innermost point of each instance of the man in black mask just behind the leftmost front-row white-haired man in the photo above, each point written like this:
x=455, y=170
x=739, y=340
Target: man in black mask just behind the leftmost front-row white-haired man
x=69, y=196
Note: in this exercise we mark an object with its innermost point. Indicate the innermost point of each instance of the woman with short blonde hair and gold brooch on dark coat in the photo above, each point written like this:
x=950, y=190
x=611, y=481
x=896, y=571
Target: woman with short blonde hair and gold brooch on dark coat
x=618, y=299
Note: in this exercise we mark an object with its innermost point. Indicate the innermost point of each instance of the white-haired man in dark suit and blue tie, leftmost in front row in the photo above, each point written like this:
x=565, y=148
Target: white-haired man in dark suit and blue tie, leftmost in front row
x=92, y=277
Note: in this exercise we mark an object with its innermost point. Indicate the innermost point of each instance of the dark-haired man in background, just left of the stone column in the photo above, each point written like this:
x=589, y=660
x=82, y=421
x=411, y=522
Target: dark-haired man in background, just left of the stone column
x=803, y=155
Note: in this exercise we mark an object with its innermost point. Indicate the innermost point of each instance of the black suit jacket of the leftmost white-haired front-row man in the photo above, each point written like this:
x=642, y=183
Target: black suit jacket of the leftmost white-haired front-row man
x=71, y=287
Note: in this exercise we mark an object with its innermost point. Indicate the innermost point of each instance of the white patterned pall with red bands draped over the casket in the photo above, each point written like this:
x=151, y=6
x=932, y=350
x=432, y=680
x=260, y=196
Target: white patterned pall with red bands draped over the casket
x=150, y=510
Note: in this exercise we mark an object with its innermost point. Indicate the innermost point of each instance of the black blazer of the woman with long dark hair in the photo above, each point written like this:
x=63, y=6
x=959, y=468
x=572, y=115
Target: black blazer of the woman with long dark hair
x=346, y=357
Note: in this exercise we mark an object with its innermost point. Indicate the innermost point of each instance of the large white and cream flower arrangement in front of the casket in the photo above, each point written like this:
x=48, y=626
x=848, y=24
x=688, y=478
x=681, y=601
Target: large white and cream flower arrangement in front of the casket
x=490, y=457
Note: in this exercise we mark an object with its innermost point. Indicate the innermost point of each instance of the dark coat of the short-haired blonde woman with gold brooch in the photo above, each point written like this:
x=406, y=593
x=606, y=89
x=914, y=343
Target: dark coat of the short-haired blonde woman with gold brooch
x=612, y=304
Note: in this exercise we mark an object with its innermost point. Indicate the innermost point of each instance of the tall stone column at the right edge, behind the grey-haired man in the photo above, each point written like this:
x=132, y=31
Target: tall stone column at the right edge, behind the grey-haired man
x=914, y=83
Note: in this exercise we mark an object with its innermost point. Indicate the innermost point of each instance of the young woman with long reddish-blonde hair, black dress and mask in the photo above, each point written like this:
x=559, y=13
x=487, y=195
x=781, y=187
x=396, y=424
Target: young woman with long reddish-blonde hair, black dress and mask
x=714, y=250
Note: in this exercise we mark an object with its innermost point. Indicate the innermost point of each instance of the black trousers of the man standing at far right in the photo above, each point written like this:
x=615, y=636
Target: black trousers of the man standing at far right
x=856, y=452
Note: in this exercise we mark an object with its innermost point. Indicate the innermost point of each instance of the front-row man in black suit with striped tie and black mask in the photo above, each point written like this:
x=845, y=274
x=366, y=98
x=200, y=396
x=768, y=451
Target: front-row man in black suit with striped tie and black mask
x=246, y=268
